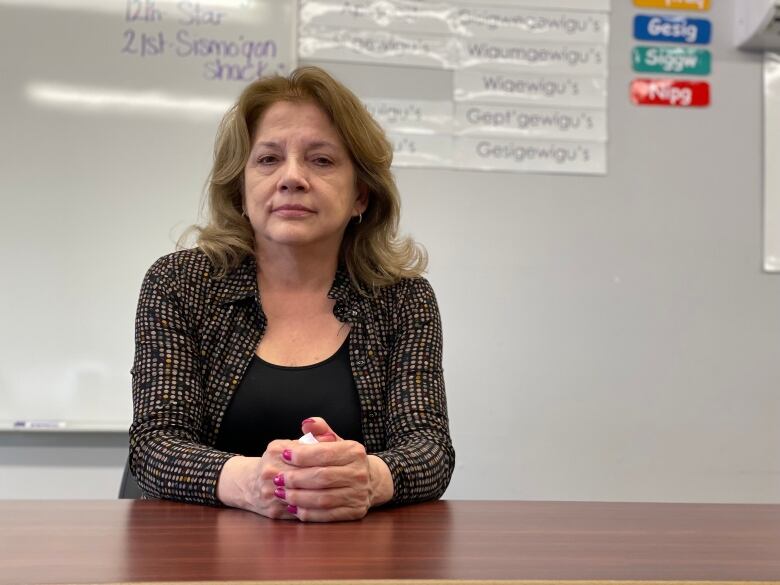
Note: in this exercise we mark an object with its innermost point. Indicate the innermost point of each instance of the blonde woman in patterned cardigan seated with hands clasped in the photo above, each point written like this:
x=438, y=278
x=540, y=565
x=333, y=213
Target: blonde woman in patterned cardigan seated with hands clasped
x=300, y=311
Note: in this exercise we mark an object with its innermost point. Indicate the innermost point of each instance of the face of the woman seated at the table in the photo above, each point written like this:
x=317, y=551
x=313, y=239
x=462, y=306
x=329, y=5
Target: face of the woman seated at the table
x=299, y=182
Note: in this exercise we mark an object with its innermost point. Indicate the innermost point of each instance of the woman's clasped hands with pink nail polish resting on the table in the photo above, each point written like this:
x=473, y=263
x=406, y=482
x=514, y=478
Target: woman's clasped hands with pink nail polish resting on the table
x=331, y=481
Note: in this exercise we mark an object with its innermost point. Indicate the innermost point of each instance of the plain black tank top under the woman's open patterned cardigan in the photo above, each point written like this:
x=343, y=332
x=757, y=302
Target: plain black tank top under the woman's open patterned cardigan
x=272, y=400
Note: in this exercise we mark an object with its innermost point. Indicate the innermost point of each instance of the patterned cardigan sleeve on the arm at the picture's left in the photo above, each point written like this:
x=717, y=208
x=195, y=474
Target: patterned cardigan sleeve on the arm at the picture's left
x=167, y=456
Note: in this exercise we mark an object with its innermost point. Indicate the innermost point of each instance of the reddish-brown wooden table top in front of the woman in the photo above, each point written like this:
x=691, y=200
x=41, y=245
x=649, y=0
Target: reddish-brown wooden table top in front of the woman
x=131, y=541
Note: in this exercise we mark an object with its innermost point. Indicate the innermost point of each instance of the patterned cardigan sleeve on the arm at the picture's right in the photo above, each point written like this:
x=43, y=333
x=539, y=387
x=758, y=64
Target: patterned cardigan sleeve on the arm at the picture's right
x=419, y=450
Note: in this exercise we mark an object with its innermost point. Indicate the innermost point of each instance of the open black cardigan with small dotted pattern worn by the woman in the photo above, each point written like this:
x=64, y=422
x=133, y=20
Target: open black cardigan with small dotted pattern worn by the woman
x=194, y=339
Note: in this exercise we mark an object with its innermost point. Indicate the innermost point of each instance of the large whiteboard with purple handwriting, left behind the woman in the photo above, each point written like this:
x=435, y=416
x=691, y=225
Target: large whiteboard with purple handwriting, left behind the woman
x=109, y=110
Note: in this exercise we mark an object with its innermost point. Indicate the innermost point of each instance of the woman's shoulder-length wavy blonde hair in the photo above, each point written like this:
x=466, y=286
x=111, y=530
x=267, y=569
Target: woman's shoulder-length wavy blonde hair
x=372, y=251
